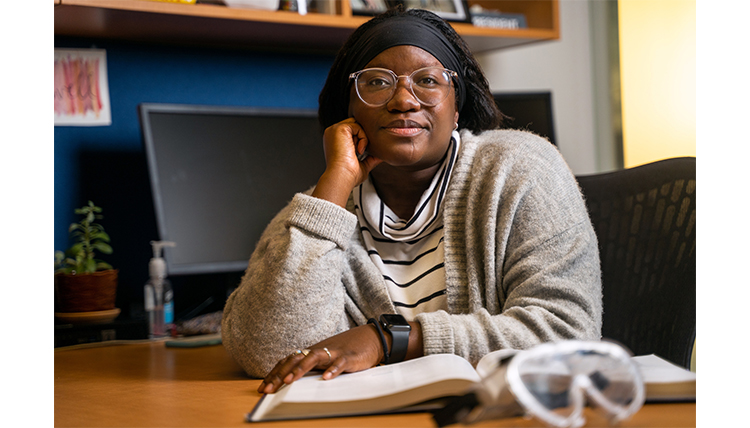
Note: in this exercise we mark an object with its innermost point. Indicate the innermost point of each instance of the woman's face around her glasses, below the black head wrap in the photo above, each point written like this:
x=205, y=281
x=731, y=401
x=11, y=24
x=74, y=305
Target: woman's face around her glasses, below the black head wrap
x=404, y=133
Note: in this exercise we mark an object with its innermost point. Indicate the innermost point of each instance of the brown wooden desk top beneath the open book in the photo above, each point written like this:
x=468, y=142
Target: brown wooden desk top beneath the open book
x=150, y=385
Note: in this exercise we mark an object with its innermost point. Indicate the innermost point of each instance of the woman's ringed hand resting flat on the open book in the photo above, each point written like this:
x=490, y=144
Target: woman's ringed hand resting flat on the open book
x=353, y=350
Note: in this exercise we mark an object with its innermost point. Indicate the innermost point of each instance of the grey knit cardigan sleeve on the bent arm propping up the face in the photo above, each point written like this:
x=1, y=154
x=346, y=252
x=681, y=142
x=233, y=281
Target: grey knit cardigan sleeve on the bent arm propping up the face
x=291, y=295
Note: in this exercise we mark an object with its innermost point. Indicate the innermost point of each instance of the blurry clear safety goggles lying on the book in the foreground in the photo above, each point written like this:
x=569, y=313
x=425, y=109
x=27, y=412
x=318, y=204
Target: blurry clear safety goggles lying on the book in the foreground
x=553, y=382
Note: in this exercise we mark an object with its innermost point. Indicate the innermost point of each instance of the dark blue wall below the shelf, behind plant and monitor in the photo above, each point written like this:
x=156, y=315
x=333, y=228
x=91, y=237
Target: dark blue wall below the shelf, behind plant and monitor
x=110, y=158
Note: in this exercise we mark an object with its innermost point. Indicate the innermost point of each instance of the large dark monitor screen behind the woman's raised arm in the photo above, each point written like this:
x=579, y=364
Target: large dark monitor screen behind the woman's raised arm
x=219, y=175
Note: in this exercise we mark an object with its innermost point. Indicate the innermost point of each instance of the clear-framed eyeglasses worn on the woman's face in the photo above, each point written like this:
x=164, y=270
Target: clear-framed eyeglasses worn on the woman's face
x=429, y=85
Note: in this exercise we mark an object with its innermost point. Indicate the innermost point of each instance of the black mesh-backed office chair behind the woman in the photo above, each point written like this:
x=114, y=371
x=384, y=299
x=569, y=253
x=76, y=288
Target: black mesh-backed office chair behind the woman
x=645, y=219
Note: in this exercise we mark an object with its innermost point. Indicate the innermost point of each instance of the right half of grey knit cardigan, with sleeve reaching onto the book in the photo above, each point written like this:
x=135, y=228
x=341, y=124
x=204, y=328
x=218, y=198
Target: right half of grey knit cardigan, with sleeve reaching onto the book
x=529, y=260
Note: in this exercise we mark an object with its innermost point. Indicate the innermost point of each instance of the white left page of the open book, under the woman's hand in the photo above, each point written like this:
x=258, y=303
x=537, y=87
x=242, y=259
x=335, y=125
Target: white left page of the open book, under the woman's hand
x=381, y=380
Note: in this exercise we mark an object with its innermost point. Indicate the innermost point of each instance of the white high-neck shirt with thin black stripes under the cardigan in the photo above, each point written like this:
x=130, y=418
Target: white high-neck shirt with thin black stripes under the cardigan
x=410, y=254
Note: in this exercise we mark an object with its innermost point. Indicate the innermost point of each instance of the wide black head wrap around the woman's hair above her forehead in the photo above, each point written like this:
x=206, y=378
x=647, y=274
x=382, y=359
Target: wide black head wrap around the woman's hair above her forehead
x=405, y=30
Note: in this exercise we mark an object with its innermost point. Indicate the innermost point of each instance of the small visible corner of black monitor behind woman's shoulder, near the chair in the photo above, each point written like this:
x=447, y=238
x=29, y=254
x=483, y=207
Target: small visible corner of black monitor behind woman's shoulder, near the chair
x=530, y=111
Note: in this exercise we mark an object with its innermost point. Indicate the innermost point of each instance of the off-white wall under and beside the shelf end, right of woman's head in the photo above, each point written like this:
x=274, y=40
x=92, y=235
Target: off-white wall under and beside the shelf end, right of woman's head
x=563, y=67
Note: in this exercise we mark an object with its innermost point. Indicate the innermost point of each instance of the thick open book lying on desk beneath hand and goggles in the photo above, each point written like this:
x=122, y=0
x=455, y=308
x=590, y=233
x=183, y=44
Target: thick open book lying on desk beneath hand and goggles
x=407, y=385
